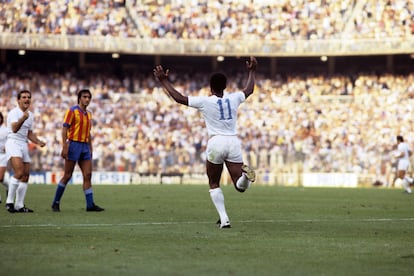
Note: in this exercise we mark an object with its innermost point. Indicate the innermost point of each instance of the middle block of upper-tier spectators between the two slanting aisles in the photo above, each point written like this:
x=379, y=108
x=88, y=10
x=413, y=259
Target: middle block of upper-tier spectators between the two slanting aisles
x=268, y=20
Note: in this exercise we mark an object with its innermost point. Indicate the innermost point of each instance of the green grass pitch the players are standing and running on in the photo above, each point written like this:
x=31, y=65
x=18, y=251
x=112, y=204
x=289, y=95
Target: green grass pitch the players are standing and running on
x=170, y=230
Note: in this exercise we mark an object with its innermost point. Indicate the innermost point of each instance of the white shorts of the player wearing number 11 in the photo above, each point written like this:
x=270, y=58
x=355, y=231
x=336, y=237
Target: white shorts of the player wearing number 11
x=224, y=148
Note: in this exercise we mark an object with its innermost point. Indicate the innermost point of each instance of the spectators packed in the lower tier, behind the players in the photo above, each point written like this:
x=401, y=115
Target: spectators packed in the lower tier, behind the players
x=317, y=123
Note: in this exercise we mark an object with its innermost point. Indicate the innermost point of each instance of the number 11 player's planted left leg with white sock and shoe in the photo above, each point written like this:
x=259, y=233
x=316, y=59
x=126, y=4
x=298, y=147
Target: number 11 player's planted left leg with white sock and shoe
x=214, y=172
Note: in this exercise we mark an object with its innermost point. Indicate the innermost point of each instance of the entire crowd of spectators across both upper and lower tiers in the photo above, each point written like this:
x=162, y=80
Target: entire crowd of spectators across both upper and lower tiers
x=333, y=124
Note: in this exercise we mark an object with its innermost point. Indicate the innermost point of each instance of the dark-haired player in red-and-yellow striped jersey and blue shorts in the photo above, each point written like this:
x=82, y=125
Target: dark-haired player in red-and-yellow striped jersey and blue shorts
x=77, y=148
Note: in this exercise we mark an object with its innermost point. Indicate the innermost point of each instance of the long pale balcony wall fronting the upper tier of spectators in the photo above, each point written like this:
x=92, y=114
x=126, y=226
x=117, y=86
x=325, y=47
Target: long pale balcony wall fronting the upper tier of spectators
x=162, y=46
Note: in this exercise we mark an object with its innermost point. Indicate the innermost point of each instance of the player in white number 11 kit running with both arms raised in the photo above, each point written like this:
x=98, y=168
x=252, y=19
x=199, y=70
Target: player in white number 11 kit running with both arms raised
x=219, y=111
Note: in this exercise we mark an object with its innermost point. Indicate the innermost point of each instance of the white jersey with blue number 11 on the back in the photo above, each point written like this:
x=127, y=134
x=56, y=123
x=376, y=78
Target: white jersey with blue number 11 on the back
x=220, y=114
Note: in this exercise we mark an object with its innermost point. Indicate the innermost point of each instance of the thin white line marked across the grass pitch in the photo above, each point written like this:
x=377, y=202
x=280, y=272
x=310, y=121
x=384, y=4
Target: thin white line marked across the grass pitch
x=91, y=225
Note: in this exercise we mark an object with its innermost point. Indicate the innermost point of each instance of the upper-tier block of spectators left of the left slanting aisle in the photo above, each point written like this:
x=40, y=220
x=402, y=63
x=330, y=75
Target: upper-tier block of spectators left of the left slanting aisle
x=79, y=17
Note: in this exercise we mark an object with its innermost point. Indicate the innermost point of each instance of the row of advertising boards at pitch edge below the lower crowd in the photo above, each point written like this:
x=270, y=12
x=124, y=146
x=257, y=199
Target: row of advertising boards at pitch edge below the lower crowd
x=350, y=180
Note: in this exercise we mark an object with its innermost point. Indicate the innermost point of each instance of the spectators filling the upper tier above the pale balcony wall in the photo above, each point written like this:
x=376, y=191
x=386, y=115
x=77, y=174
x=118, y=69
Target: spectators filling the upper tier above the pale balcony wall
x=206, y=19
